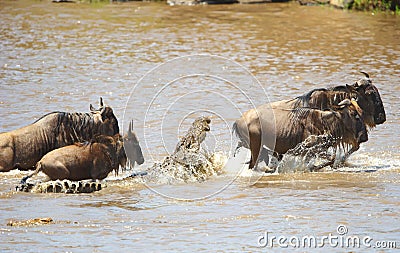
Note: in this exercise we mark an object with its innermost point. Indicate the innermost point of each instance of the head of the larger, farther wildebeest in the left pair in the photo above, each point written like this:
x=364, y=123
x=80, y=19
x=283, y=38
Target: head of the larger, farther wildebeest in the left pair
x=110, y=122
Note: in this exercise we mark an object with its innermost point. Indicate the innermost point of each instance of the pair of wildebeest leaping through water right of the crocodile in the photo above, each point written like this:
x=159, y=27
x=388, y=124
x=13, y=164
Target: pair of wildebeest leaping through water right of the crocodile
x=343, y=112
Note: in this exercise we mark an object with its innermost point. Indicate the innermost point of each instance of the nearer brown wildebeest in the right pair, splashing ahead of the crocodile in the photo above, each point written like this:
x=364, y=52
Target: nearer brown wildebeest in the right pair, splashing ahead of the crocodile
x=282, y=129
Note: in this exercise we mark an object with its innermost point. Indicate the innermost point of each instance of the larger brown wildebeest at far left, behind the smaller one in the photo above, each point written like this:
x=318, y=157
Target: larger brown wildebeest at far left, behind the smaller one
x=24, y=147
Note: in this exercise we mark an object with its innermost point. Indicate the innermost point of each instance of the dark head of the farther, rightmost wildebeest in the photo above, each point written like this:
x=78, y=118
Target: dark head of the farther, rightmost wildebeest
x=370, y=101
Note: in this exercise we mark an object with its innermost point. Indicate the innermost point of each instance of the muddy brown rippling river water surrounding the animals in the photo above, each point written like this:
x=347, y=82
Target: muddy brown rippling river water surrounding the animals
x=61, y=57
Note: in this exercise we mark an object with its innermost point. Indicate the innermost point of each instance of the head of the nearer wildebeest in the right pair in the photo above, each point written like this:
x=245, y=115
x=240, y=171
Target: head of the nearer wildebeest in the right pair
x=353, y=121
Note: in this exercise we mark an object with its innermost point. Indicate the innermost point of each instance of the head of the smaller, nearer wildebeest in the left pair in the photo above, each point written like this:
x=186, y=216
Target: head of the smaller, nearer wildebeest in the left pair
x=132, y=147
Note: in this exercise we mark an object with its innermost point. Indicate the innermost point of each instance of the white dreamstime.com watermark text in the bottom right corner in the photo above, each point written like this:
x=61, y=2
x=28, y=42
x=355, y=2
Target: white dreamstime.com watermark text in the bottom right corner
x=339, y=240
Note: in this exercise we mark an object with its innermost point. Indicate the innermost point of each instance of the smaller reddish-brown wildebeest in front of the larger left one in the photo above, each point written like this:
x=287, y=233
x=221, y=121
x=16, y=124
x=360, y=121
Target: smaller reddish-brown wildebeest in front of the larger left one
x=90, y=160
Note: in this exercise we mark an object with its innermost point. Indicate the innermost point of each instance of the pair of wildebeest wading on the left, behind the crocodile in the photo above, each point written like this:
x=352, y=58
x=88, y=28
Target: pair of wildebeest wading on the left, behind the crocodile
x=74, y=146
